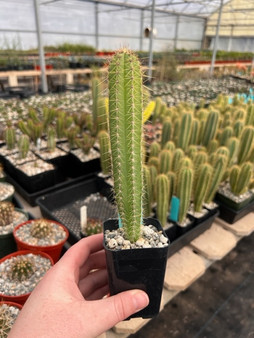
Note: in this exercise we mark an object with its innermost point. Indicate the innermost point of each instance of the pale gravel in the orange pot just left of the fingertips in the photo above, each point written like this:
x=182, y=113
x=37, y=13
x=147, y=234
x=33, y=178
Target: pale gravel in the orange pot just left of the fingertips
x=56, y=236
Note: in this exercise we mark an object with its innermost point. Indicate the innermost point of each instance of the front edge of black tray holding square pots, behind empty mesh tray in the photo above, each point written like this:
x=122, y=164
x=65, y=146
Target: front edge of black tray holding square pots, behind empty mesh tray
x=31, y=197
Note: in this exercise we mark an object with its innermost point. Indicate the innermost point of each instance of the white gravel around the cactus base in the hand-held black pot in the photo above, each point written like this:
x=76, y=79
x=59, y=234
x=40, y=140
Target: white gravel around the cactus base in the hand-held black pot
x=150, y=238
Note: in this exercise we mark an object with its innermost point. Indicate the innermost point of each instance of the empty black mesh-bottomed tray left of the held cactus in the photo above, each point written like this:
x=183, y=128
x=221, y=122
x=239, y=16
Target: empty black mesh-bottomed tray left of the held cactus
x=64, y=205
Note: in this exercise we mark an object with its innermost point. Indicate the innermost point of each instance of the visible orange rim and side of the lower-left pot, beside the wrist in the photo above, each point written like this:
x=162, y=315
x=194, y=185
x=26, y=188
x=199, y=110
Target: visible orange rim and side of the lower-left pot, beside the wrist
x=21, y=299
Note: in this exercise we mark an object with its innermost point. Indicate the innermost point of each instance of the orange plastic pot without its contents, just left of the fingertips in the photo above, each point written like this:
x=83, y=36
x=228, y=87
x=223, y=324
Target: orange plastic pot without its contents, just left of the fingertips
x=53, y=250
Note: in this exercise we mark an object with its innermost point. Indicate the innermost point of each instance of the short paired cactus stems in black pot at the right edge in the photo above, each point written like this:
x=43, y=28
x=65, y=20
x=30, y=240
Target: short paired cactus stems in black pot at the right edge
x=240, y=178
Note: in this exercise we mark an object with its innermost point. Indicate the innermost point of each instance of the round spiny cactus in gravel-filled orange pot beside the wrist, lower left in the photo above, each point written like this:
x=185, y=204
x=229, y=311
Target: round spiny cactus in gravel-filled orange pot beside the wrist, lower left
x=21, y=271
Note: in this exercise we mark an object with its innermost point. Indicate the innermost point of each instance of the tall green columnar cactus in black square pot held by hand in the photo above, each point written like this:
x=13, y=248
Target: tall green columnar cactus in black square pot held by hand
x=132, y=261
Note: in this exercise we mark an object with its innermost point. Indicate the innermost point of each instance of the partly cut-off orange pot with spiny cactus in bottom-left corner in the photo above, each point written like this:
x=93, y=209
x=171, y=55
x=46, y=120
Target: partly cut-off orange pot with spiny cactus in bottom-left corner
x=8, y=314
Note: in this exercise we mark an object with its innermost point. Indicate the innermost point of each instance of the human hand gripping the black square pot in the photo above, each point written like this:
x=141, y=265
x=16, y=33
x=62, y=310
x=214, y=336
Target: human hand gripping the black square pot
x=68, y=300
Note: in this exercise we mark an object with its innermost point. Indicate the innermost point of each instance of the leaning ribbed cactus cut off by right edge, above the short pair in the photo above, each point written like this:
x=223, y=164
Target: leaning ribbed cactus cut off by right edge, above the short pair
x=246, y=142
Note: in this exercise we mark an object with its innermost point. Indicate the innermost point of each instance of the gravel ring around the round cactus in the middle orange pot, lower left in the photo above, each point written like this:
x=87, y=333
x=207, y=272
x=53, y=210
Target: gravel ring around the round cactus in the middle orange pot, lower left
x=9, y=287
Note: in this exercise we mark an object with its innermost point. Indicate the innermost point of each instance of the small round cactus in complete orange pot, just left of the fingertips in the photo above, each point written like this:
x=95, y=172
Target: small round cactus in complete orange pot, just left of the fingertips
x=41, y=235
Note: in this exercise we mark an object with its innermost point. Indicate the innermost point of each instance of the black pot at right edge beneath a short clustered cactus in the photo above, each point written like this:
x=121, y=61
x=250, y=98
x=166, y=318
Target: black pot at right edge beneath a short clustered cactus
x=231, y=215
